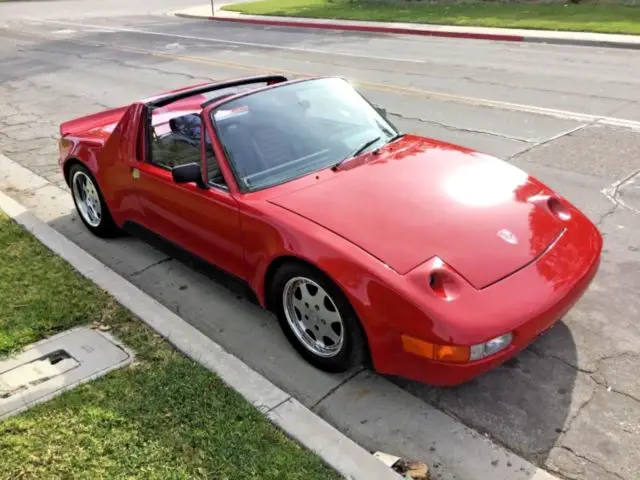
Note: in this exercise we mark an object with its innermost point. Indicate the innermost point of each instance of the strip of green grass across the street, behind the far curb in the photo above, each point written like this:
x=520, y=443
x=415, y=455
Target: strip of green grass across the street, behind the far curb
x=604, y=18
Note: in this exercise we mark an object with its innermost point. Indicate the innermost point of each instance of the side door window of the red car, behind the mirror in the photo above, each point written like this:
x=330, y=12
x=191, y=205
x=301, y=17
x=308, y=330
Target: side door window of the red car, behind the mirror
x=176, y=142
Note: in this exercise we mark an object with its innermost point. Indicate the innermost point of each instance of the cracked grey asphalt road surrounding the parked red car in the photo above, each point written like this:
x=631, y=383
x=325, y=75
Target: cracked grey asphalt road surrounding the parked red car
x=569, y=115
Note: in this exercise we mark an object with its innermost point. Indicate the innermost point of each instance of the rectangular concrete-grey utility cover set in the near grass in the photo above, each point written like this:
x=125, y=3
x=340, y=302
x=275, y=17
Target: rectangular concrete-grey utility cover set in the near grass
x=57, y=364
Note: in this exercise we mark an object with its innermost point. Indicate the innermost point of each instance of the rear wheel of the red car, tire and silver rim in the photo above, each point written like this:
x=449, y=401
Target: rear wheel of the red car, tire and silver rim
x=90, y=204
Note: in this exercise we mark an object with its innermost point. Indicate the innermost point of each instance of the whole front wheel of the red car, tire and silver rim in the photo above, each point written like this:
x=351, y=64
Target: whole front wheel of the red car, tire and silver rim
x=317, y=319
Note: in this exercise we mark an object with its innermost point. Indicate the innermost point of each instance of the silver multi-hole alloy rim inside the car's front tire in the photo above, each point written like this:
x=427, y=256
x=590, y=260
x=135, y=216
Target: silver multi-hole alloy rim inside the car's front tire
x=313, y=317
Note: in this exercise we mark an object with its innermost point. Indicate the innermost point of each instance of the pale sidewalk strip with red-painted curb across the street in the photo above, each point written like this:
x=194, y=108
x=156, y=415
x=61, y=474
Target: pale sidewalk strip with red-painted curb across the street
x=447, y=31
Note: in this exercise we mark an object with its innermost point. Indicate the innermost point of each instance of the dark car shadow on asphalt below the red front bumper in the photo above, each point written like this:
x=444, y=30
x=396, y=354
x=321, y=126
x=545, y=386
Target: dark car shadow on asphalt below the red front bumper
x=525, y=404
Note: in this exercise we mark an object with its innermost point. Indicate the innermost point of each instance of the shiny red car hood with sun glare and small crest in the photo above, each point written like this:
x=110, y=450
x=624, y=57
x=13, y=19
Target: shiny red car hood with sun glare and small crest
x=419, y=198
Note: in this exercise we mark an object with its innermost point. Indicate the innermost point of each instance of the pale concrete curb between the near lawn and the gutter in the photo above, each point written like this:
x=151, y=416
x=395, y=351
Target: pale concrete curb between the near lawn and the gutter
x=337, y=450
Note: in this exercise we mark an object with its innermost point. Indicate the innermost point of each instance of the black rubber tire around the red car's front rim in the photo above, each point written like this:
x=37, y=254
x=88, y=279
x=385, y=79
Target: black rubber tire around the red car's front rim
x=354, y=351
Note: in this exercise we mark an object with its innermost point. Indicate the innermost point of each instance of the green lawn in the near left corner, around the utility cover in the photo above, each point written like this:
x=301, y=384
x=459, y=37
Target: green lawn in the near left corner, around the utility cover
x=164, y=417
